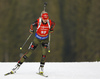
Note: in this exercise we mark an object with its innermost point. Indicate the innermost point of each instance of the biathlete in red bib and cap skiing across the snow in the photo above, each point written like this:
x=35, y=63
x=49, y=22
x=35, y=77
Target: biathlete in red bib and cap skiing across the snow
x=43, y=26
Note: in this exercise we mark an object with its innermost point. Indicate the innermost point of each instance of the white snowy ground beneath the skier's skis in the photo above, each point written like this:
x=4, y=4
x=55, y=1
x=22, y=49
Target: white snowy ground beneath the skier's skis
x=54, y=70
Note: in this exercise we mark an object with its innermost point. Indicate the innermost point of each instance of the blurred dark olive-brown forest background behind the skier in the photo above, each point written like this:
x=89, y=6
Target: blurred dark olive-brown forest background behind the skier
x=76, y=36
